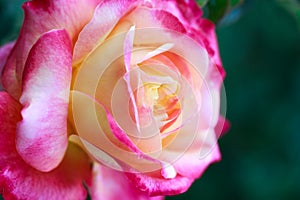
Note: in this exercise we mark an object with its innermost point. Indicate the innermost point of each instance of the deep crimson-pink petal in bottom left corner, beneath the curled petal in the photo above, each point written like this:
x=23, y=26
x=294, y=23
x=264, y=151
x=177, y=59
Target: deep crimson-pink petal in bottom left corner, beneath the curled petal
x=20, y=181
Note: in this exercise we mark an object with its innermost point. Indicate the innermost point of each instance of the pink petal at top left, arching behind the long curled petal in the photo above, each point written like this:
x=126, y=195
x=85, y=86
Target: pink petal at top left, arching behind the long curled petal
x=41, y=17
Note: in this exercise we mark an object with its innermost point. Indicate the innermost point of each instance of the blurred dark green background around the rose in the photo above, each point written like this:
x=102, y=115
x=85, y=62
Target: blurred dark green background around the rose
x=260, y=47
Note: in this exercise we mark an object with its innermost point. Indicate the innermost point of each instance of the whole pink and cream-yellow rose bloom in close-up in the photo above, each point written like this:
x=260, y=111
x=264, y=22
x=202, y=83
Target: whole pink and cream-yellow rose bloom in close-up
x=109, y=98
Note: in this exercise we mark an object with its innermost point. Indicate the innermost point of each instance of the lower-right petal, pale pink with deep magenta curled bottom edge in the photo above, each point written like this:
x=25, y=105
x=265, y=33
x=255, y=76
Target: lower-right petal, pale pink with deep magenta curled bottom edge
x=189, y=167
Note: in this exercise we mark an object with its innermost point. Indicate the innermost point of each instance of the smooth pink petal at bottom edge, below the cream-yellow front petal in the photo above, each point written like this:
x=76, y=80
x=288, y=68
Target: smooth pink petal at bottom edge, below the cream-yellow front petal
x=111, y=185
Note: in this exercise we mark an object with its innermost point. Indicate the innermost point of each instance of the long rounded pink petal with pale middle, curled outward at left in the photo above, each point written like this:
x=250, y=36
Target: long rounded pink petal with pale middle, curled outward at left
x=42, y=134
